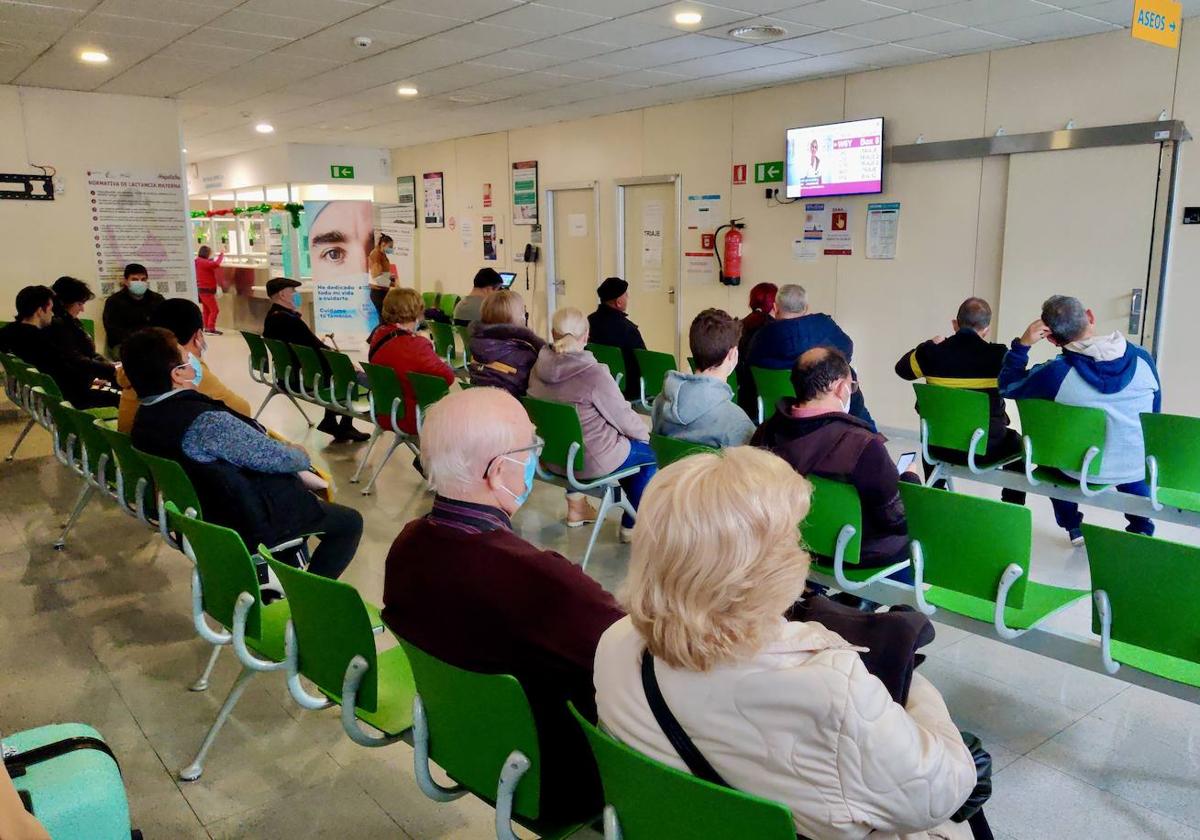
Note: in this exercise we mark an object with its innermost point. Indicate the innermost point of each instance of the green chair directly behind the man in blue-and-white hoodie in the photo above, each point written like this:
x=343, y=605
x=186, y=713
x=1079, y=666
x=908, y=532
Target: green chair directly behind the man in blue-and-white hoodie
x=1059, y=437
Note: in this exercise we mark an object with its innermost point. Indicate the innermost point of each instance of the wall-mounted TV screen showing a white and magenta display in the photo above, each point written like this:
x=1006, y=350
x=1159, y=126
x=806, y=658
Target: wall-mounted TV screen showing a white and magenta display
x=842, y=159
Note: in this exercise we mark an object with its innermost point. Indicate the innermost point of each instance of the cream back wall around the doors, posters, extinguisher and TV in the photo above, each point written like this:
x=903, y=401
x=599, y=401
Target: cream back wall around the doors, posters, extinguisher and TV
x=953, y=213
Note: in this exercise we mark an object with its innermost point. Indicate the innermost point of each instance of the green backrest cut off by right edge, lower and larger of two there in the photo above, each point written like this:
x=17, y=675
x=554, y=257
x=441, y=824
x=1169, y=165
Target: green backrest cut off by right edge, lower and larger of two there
x=1154, y=604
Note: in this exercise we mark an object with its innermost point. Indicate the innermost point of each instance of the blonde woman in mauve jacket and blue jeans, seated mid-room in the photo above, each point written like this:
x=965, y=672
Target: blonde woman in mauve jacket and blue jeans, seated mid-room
x=615, y=436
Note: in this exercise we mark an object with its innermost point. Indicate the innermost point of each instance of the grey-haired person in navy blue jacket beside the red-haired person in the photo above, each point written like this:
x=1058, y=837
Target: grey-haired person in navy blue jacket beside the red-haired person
x=794, y=332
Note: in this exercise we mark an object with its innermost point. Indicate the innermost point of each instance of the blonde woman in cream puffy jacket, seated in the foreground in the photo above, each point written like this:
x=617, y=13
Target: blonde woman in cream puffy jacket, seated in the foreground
x=782, y=710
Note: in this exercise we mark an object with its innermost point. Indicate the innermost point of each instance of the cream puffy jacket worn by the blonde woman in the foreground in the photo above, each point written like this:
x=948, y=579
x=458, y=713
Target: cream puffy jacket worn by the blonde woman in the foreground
x=803, y=723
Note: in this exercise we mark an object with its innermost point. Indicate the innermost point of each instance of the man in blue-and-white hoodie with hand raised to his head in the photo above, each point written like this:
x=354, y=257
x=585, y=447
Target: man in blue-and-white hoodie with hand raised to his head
x=1106, y=373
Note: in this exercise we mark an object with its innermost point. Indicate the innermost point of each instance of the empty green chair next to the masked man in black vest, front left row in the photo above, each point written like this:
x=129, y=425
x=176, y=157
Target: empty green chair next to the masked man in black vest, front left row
x=225, y=589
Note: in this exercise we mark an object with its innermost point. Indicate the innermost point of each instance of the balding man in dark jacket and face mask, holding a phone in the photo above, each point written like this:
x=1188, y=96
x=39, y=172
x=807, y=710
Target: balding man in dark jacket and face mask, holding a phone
x=817, y=435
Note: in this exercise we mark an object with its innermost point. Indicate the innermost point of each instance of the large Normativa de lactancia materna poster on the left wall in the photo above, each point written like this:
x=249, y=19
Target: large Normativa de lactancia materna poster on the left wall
x=140, y=218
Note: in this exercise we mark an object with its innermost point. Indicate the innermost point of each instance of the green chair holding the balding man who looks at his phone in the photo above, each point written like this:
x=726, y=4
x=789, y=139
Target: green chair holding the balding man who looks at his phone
x=833, y=533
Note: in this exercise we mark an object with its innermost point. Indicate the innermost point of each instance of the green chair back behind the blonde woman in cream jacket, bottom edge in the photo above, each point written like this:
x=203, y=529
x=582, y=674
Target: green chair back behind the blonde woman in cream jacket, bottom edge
x=682, y=807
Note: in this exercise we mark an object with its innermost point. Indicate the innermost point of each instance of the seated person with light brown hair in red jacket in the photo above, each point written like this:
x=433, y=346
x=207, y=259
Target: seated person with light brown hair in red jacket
x=397, y=345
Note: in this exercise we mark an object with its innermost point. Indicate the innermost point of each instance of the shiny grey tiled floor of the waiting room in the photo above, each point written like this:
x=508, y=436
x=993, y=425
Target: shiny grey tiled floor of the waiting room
x=100, y=633
